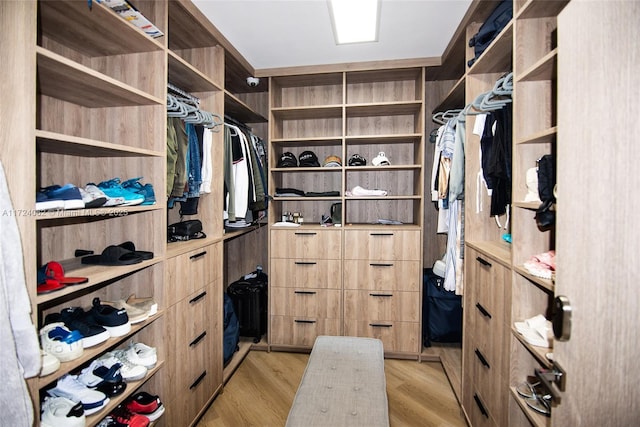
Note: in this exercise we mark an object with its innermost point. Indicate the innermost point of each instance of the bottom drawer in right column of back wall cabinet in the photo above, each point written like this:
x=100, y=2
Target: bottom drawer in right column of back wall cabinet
x=401, y=337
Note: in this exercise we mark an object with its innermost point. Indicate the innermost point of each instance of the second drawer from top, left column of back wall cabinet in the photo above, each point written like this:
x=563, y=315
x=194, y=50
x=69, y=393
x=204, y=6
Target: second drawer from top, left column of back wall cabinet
x=298, y=273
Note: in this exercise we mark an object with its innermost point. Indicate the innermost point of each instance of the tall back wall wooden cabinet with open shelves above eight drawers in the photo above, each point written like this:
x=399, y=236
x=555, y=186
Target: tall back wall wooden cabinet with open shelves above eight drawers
x=374, y=271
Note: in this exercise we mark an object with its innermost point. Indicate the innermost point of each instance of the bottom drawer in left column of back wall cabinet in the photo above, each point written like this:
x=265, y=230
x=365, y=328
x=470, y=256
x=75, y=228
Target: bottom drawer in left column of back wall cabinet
x=301, y=331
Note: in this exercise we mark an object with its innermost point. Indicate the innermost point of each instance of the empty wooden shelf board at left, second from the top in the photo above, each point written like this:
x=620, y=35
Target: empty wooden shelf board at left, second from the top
x=63, y=79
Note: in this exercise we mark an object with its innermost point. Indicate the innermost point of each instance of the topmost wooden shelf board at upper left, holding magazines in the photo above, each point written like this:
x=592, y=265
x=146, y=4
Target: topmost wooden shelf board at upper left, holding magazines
x=97, y=32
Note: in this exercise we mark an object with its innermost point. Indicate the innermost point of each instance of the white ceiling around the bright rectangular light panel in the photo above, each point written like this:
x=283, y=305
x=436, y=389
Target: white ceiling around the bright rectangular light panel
x=289, y=33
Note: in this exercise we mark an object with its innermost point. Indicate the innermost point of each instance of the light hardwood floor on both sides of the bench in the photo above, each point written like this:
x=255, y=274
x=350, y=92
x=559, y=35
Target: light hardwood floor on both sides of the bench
x=261, y=391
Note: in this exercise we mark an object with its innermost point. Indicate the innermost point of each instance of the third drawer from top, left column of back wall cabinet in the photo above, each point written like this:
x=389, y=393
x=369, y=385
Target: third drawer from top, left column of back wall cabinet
x=323, y=303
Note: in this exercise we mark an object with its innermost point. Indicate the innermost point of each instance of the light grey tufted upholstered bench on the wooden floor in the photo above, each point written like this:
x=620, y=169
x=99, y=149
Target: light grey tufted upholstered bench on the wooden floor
x=342, y=385
